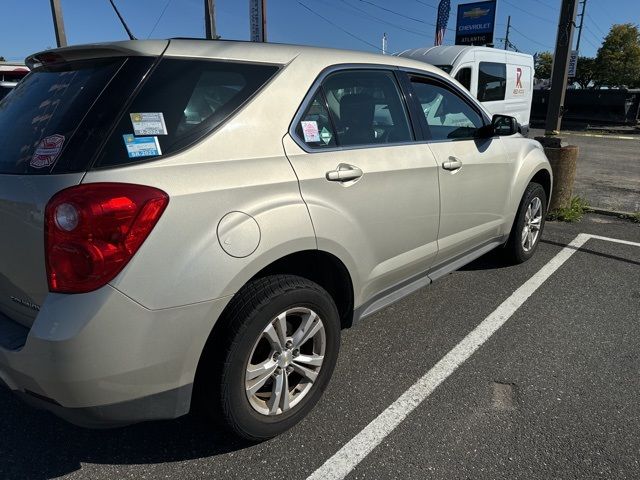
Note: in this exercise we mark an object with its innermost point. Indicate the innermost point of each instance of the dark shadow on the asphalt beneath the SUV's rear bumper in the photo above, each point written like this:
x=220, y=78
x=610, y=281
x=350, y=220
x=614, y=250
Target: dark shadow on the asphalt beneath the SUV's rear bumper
x=35, y=444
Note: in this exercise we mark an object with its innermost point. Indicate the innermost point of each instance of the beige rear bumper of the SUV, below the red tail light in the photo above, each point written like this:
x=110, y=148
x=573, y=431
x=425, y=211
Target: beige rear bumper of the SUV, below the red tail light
x=100, y=359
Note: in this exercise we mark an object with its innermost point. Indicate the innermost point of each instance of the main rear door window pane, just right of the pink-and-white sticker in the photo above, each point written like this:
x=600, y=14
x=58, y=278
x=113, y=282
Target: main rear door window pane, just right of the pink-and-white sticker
x=366, y=108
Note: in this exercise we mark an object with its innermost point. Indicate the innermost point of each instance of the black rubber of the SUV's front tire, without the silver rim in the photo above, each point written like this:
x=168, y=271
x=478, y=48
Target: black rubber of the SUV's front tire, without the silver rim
x=514, y=250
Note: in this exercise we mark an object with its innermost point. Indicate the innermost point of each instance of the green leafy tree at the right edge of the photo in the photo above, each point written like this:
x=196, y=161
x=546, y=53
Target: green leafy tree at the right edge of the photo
x=618, y=59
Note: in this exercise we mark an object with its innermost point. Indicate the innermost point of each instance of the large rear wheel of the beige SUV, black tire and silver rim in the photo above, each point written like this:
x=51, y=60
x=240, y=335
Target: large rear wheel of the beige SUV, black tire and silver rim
x=250, y=336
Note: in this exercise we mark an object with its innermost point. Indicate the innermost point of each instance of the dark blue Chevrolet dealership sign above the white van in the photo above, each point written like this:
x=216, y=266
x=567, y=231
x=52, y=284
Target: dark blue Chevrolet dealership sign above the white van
x=476, y=22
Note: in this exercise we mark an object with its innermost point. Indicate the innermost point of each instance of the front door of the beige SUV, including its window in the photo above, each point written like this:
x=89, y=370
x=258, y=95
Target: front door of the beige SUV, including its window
x=474, y=173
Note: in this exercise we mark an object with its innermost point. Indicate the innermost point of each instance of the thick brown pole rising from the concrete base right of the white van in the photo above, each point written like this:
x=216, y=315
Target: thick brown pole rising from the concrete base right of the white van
x=564, y=41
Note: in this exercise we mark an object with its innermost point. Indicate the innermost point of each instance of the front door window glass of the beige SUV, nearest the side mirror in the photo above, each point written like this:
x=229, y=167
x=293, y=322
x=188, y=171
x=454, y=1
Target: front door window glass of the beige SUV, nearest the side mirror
x=448, y=116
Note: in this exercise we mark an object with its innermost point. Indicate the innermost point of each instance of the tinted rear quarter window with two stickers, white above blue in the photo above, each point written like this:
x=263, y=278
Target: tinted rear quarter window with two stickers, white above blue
x=183, y=101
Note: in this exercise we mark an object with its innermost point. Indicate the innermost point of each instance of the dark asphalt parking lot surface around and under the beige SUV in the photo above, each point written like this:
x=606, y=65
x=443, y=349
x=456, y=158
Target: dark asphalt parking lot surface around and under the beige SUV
x=553, y=393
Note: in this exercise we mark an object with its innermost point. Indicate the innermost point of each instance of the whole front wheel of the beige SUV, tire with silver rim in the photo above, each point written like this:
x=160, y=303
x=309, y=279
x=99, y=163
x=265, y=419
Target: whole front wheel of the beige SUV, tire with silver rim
x=517, y=249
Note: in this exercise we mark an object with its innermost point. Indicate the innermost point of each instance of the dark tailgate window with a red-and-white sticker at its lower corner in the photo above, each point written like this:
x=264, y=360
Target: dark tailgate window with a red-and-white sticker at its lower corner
x=39, y=118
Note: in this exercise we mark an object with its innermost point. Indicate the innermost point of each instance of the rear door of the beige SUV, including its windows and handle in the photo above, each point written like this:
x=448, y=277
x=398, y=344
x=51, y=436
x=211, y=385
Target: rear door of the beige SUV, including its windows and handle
x=371, y=190
